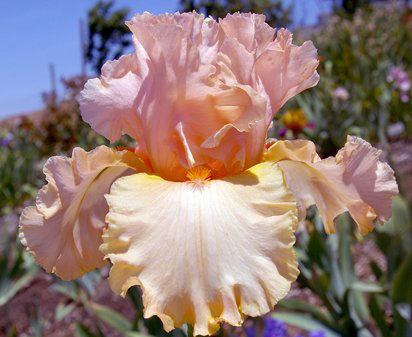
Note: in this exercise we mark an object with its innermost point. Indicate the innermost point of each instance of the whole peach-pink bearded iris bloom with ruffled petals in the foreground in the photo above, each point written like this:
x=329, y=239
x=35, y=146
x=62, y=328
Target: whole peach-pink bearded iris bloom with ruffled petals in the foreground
x=201, y=214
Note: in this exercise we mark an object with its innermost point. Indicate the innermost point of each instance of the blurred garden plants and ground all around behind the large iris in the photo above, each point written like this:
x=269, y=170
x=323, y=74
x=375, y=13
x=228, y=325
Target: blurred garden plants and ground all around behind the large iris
x=348, y=286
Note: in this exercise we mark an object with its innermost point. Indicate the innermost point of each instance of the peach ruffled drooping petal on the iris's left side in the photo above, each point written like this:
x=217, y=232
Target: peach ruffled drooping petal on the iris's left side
x=63, y=230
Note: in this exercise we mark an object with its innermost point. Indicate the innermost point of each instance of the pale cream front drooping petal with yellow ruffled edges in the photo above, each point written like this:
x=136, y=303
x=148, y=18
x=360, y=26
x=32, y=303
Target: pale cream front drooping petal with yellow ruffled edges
x=233, y=253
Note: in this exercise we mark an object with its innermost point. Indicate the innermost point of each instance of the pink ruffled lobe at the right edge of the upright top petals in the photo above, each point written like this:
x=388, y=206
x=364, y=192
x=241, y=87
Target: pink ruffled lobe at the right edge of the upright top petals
x=284, y=70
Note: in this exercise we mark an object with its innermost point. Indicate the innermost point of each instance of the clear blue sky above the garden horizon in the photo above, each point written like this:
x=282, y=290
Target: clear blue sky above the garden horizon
x=35, y=33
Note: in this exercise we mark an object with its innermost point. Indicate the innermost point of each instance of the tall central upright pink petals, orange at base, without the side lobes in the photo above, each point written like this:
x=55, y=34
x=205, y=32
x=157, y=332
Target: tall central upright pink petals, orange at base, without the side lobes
x=186, y=87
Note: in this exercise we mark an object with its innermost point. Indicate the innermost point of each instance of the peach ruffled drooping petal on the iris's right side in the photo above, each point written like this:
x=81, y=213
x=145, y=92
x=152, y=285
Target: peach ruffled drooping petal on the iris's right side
x=355, y=180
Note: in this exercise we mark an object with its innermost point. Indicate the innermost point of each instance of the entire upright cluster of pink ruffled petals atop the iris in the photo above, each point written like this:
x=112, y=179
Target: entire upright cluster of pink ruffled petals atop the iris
x=197, y=91
